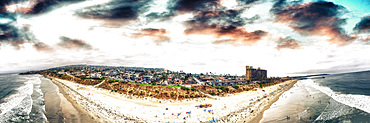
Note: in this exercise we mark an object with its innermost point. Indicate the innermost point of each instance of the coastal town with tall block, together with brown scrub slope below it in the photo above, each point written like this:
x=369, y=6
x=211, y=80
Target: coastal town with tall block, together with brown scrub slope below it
x=208, y=83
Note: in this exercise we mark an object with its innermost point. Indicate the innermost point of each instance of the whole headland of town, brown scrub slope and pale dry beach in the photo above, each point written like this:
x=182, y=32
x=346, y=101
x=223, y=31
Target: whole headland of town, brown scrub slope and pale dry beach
x=121, y=94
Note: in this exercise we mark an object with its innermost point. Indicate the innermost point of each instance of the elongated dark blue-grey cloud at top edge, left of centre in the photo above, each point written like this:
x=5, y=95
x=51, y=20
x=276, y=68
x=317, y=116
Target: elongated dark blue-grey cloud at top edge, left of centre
x=117, y=9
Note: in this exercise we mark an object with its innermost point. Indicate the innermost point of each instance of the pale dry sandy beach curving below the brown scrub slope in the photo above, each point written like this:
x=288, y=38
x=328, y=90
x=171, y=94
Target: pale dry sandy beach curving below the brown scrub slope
x=105, y=106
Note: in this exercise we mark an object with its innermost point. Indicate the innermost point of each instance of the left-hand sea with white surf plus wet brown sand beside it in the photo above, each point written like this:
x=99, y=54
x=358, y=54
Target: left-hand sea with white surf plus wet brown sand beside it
x=22, y=99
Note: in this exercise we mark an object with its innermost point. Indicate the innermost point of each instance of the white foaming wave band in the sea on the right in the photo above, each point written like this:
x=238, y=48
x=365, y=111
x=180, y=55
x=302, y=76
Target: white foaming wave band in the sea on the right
x=361, y=102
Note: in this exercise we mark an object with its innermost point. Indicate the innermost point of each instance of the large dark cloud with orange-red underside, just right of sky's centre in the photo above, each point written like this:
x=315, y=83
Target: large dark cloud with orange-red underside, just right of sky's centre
x=227, y=23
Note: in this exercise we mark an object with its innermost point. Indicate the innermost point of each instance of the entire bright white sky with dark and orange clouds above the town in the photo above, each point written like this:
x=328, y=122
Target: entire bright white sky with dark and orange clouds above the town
x=285, y=37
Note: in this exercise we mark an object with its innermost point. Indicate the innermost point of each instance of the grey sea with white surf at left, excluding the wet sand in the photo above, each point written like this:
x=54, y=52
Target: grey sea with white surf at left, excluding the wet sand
x=21, y=99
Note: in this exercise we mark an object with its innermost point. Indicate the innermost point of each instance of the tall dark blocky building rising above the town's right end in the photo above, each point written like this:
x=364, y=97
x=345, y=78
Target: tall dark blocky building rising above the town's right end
x=255, y=74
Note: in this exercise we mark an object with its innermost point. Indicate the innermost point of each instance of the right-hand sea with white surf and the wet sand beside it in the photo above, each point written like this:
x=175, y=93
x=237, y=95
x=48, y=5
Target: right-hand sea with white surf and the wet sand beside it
x=335, y=98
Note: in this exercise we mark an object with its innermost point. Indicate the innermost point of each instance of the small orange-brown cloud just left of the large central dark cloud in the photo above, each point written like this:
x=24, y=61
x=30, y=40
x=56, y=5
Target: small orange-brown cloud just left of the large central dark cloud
x=157, y=35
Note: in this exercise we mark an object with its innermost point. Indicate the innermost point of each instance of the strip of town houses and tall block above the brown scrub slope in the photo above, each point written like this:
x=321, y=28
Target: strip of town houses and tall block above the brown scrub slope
x=161, y=76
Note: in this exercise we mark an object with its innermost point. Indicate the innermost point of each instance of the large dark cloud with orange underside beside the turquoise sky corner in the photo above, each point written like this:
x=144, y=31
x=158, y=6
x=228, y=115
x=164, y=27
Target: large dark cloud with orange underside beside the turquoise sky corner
x=314, y=18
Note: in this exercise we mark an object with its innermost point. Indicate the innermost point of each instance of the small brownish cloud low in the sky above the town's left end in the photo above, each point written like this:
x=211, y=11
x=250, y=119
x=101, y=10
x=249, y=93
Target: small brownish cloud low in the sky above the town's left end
x=69, y=43
